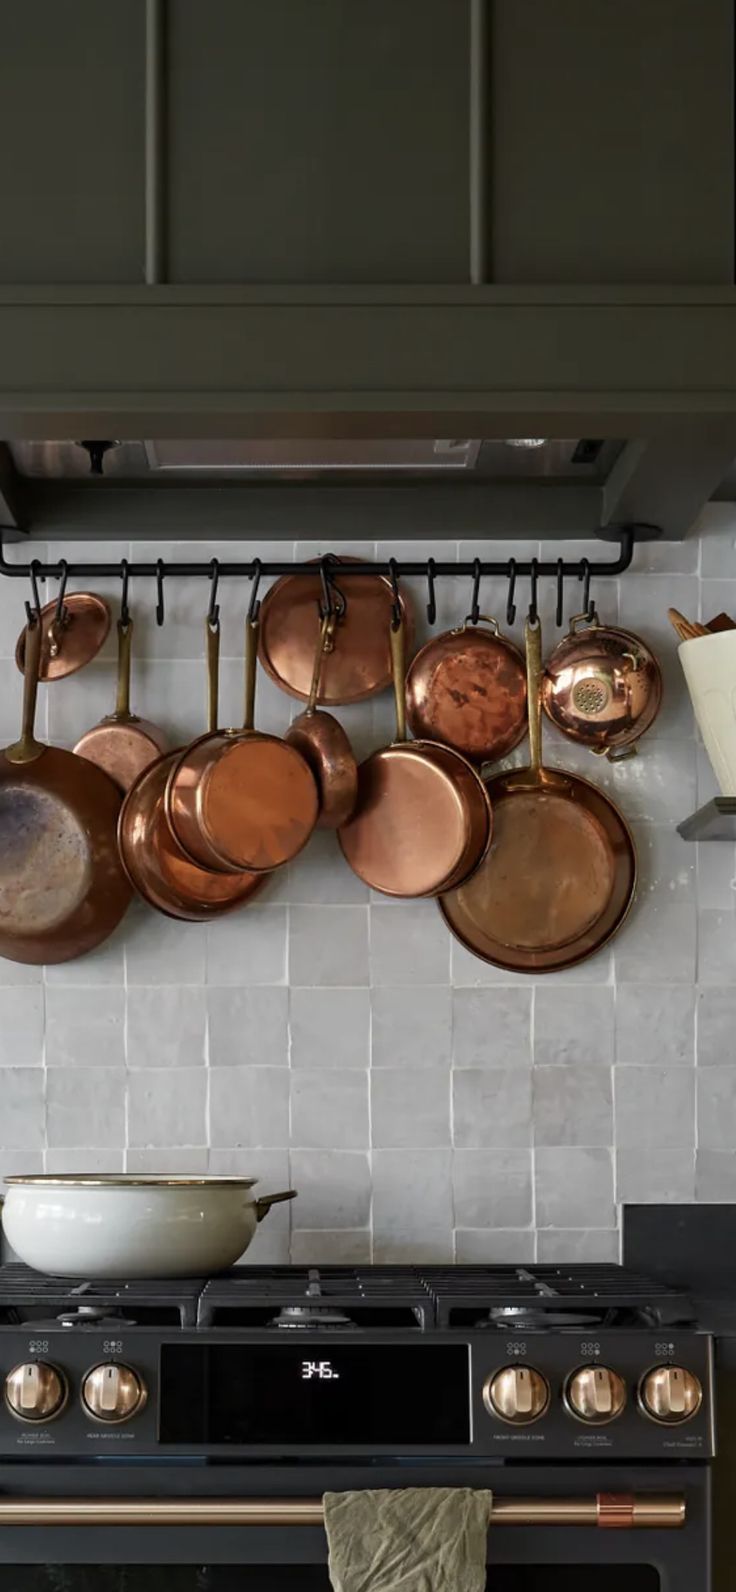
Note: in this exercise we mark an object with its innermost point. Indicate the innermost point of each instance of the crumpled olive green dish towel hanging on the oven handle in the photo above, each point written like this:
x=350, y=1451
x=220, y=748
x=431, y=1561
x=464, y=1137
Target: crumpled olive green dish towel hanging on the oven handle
x=409, y=1540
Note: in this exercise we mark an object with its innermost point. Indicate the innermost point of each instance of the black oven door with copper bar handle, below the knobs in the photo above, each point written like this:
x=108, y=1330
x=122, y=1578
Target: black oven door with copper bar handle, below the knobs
x=195, y=1529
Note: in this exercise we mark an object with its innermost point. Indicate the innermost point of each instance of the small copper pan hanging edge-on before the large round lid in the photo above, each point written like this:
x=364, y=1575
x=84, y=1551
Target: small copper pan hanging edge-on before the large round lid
x=324, y=744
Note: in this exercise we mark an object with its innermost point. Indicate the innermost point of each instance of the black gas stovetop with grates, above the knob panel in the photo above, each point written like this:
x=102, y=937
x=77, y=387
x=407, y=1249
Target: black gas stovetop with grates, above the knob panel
x=423, y=1298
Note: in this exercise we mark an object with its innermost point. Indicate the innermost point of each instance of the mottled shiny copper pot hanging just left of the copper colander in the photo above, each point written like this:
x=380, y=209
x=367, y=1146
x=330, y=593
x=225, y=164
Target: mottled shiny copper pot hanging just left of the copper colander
x=468, y=689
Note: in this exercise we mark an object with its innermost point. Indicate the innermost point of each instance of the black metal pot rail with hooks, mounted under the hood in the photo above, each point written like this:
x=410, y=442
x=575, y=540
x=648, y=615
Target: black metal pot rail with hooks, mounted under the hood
x=511, y=569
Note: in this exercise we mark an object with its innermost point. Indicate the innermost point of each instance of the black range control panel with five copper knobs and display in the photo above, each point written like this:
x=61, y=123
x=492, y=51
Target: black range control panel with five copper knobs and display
x=624, y=1395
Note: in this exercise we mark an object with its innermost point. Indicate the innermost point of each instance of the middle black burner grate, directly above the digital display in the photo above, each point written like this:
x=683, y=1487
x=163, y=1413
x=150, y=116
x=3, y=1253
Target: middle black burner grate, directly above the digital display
x=370, y=1297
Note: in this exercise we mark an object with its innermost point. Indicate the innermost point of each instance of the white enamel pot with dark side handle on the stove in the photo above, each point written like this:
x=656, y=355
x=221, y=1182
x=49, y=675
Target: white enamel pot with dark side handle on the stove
x=133, y=1227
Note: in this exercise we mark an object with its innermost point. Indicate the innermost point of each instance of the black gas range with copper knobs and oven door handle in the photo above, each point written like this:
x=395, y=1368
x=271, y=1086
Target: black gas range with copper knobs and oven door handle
x=198, y=1424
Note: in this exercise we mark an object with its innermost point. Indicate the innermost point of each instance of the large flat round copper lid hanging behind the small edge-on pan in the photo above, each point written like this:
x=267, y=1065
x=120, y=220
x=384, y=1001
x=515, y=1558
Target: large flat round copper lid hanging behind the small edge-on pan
x=359, y=663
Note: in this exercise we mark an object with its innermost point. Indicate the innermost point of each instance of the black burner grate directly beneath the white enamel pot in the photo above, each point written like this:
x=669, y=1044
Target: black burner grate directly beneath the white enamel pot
x=31, y=1297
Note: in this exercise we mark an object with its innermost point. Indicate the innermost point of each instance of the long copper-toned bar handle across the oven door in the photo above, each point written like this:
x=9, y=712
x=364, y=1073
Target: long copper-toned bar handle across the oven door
x=624, y=1512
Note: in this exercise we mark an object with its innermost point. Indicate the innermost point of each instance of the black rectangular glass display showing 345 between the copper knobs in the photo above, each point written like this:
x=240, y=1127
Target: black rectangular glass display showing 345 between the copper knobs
x=393, y=1395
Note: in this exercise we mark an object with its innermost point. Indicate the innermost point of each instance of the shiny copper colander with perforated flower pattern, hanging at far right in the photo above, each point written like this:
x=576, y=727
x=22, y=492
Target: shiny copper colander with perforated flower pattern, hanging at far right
x=601, y=687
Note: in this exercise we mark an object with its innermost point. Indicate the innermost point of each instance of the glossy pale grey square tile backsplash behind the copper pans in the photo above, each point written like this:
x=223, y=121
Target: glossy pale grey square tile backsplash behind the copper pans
x=426, y=1106
